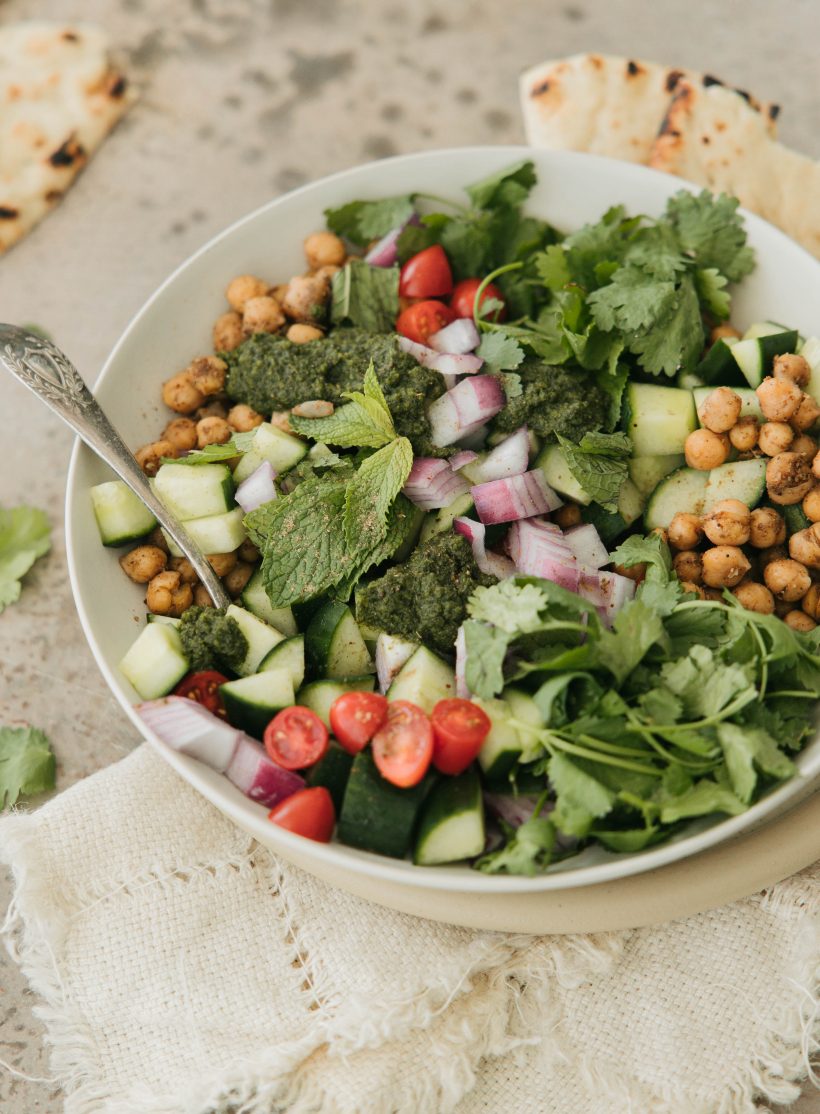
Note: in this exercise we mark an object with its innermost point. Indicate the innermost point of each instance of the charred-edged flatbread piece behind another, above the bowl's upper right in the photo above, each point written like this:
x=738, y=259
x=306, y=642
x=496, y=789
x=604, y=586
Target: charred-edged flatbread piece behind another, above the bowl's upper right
x=608, y=105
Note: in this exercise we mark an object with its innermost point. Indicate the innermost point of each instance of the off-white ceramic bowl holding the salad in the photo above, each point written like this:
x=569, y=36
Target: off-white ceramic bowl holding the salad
x=175, y=326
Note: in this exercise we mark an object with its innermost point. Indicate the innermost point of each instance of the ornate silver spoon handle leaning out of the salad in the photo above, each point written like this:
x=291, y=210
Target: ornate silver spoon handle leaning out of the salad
x=42, y=367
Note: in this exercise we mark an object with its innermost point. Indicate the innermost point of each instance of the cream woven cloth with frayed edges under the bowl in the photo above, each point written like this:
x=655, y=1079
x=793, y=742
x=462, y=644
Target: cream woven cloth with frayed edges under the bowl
x=183, y=970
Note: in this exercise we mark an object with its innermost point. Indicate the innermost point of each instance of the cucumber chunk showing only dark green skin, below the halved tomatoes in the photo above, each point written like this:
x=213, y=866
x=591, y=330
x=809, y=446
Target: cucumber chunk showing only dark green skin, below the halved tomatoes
x=378, y=816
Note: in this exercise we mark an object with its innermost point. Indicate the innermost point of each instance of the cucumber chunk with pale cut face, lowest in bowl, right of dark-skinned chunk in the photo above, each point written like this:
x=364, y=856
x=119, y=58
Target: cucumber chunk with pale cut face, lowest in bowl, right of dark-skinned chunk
x=452, y=823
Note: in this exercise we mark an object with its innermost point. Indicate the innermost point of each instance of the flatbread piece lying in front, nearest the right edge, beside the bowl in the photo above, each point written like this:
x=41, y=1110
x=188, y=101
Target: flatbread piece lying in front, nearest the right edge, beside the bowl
x=712, y=140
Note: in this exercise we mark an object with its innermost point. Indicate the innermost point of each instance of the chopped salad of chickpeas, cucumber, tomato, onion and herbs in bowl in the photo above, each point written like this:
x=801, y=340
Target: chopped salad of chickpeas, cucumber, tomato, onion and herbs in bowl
x=523, y=536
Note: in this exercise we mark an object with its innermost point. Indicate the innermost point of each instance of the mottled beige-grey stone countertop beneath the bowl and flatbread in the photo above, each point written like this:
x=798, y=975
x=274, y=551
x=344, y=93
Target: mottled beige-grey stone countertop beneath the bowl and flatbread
x=241, y=101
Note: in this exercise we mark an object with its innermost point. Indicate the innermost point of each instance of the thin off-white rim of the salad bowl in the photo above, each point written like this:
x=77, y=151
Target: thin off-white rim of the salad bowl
x=250, y=816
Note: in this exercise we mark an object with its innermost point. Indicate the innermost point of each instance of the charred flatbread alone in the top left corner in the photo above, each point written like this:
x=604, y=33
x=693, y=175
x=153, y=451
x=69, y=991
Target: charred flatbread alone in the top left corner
x=60, y=99
